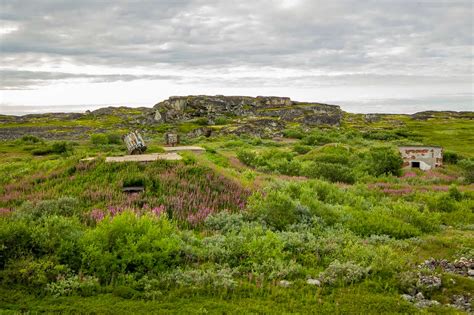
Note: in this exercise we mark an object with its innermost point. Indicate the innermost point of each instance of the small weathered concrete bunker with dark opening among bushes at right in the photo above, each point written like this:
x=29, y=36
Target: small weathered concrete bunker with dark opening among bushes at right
x=428, y=157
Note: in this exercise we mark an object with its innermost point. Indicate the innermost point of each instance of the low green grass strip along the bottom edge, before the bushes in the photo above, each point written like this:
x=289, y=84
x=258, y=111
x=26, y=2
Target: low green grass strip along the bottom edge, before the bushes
x=261, y=301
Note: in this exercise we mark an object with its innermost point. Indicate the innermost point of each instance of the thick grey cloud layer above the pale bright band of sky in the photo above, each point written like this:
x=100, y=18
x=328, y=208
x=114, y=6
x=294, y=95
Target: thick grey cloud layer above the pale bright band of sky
x=219, y=33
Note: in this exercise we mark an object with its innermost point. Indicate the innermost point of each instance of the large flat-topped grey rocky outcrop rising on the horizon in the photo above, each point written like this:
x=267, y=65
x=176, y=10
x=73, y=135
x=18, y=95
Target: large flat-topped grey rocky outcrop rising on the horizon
x=183, y=108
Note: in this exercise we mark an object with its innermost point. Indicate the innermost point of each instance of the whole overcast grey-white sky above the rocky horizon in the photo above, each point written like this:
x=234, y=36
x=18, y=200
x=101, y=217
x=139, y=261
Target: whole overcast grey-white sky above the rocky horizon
x=367, y=56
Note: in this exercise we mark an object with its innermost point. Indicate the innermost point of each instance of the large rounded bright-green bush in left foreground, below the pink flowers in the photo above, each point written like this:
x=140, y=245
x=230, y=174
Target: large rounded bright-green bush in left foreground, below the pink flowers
x=131, y=244
